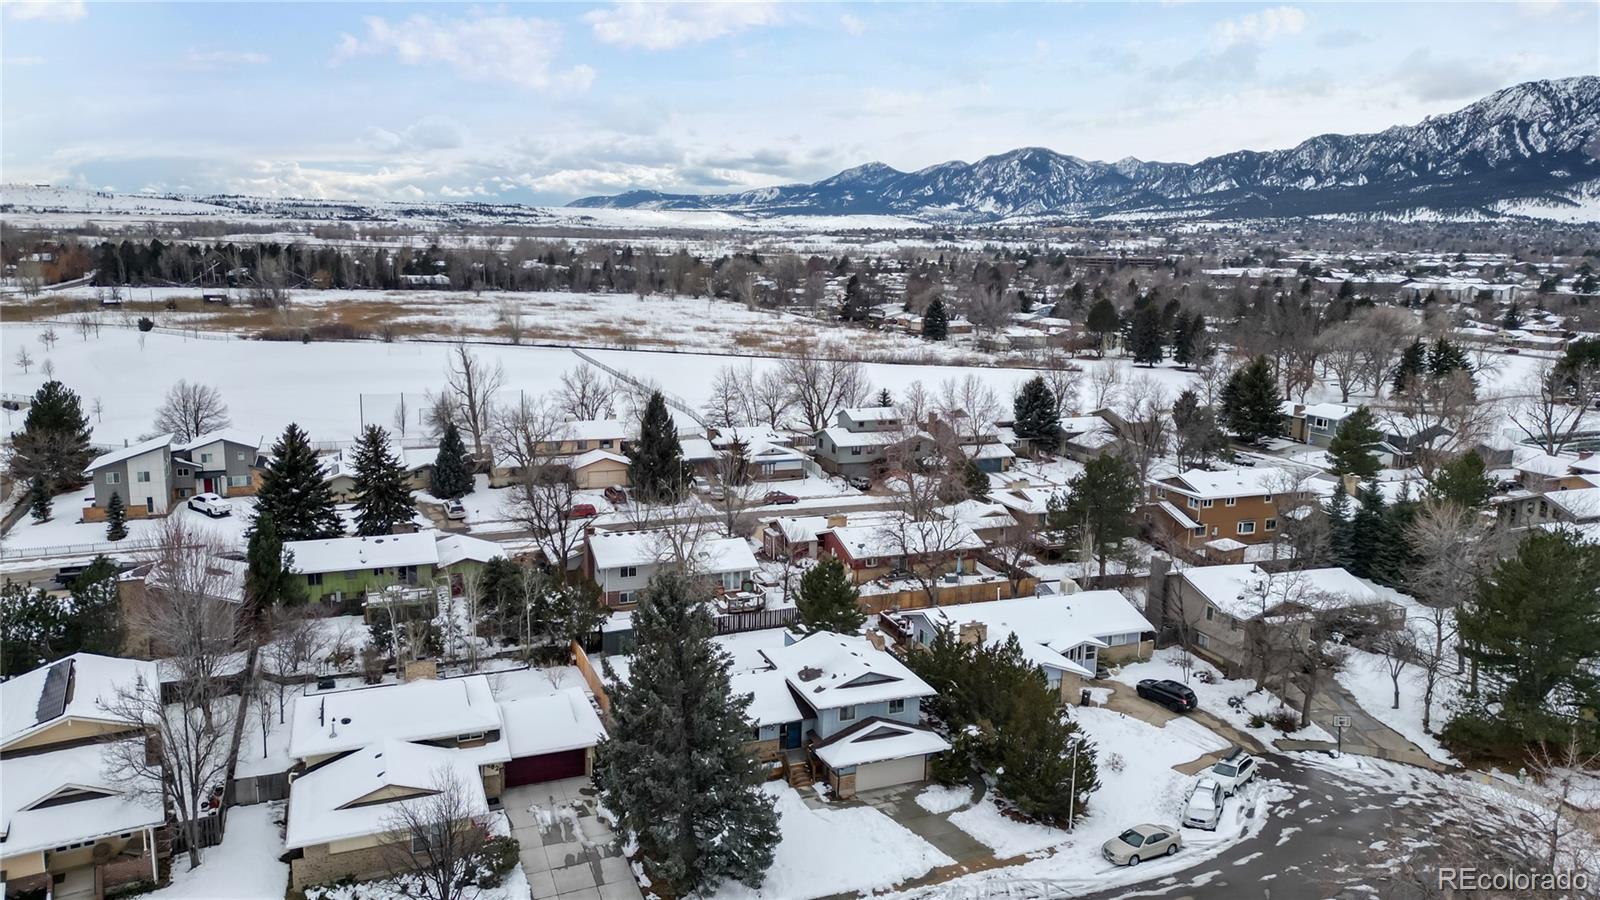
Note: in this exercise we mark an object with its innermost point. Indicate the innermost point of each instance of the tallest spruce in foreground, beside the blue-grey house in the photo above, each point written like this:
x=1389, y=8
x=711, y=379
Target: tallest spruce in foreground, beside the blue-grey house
x=676, y=769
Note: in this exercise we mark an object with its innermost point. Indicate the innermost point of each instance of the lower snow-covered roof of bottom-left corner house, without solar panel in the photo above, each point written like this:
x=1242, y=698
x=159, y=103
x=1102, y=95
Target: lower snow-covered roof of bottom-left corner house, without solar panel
x=33, y=824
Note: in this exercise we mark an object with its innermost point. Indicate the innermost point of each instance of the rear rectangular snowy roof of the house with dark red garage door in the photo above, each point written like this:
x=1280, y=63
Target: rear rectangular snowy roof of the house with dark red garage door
x=422, y=710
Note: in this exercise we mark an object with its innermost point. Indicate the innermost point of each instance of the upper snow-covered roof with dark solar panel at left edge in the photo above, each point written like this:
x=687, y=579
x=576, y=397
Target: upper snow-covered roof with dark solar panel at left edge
x=73, y=688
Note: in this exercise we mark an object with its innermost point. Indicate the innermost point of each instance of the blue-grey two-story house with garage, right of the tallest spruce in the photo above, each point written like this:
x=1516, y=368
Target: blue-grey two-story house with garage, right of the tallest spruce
x=860, y=715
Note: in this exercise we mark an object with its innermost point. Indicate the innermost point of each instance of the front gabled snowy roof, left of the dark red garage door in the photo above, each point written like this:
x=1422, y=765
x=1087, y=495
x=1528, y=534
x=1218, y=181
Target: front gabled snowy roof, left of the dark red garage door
x=326, y=803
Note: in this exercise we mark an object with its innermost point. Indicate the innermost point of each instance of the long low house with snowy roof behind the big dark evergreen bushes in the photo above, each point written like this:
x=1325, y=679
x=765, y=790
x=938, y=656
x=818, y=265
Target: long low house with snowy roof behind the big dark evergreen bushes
x=1065, y=635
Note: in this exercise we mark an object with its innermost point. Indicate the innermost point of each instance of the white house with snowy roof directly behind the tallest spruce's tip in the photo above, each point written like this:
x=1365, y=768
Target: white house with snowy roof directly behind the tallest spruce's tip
x=623, y=563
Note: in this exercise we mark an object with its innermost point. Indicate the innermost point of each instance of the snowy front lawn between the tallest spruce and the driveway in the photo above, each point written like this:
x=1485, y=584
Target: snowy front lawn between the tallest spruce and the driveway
x=834, y=851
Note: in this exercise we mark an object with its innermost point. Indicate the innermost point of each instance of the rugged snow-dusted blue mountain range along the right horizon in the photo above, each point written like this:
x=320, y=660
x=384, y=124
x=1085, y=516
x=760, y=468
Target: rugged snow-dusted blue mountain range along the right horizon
x=1529, y=150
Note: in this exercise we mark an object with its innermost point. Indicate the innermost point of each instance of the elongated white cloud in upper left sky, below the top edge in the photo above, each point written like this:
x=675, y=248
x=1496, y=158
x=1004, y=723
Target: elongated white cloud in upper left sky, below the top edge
x=519, y=50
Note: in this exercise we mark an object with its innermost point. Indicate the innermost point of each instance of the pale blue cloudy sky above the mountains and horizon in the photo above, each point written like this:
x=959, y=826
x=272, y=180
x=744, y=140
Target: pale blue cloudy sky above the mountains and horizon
x=546, y=103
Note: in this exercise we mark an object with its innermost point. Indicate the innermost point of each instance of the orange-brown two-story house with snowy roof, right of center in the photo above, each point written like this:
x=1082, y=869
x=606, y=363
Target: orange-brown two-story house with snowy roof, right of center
x=1199, y=507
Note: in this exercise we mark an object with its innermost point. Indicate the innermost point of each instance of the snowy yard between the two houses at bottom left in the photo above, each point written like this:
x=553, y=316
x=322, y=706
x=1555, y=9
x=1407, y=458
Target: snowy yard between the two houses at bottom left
x=244, y=867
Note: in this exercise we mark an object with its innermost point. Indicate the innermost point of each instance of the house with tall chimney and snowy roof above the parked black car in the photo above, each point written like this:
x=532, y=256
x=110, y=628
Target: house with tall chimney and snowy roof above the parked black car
x=1220, y=609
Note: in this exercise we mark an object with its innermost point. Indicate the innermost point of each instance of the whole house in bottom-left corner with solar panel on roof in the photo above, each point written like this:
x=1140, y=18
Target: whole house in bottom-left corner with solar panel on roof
x=68, y=830
